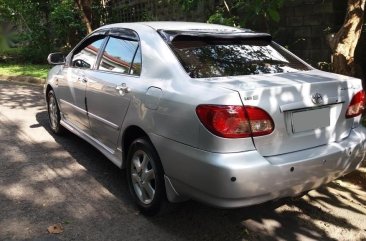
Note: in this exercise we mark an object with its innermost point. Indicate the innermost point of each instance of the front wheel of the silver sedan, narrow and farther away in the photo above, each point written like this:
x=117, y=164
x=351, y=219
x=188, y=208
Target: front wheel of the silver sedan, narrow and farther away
x=54, y=114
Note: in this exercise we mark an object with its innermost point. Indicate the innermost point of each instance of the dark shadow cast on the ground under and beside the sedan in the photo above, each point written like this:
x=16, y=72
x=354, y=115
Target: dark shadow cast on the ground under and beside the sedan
x=284, y=219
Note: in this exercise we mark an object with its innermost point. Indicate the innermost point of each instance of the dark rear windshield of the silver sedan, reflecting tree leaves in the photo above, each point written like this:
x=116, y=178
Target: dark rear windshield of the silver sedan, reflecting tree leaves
x=204, y=58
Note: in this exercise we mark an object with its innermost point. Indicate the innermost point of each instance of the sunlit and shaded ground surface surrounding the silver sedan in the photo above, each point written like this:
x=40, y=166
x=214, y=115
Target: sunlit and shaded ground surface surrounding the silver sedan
x=46, y=180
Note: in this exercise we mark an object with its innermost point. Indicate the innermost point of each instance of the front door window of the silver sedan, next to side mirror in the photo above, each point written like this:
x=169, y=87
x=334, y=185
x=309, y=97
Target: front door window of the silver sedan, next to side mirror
x=85, y=57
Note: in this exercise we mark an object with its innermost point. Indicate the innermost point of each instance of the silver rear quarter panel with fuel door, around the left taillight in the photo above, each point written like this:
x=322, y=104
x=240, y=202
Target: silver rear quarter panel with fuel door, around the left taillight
x=175, y=116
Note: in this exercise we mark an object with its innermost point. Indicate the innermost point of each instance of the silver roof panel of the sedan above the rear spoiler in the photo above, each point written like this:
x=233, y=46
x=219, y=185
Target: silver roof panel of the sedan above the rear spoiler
x=180, y=26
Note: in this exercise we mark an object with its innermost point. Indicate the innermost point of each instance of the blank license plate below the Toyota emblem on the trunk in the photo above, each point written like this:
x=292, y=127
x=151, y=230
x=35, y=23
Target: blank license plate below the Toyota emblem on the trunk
x=310, y=119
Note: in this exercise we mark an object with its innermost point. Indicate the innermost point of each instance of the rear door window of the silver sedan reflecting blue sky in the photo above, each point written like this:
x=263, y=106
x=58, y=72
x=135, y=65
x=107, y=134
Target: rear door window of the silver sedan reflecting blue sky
x=118, y=55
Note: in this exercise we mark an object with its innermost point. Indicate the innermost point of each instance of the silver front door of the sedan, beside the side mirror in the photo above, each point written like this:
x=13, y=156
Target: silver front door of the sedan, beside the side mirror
x=73, y=85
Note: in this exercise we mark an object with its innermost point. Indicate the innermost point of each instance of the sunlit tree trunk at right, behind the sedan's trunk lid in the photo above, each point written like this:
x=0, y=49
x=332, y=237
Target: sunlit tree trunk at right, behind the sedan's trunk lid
x=344, y=42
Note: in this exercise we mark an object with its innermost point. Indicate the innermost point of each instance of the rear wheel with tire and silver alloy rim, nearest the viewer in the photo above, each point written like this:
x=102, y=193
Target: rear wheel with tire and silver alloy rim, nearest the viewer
x=145, y=177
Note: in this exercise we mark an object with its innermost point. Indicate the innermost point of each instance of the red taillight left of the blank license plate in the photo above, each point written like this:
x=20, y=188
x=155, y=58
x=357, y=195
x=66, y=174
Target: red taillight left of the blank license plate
x=232, y=121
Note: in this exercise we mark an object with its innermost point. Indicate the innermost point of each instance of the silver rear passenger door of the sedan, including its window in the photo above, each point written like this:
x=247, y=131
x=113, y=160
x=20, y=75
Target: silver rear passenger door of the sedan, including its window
x=112, y=84
